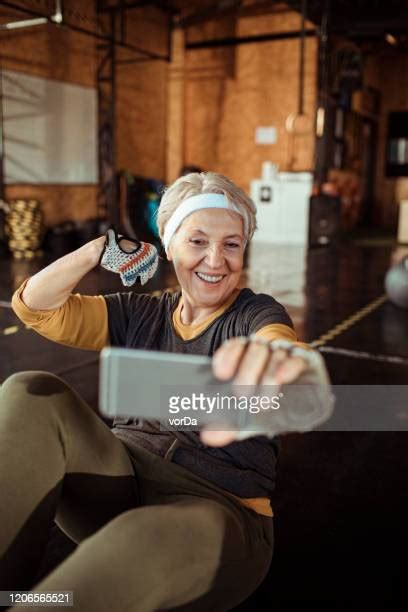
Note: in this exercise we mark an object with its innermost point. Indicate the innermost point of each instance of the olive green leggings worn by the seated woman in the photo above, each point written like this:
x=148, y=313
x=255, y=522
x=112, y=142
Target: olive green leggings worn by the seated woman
x=151, y=534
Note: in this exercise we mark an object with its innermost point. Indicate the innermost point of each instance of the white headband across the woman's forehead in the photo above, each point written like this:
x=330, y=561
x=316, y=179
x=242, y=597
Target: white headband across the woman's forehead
x=192, y=204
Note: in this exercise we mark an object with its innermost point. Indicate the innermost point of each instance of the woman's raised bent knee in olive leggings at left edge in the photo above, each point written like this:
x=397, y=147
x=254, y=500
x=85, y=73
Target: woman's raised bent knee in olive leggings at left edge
x=57, y=458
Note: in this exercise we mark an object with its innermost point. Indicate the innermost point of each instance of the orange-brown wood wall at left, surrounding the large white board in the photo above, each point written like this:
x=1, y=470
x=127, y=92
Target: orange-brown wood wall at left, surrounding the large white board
x=57, y=53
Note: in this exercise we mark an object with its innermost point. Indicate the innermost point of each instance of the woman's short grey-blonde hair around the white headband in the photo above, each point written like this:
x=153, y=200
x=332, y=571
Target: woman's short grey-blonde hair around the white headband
x=196, y=183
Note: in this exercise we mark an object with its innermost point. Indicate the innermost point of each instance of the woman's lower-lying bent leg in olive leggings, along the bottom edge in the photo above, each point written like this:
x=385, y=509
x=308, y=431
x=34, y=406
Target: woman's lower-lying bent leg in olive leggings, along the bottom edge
x=193, y=553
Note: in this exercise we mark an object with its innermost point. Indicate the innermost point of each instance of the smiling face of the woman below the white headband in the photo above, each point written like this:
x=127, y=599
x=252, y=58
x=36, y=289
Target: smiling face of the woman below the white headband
x=207, y=253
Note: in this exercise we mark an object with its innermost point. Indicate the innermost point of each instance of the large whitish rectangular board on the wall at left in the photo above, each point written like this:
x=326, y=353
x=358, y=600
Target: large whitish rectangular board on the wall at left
x=50, y=131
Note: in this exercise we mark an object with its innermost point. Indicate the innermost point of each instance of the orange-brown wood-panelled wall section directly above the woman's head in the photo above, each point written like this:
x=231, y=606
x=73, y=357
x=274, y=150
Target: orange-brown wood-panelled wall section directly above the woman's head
x=230, y=91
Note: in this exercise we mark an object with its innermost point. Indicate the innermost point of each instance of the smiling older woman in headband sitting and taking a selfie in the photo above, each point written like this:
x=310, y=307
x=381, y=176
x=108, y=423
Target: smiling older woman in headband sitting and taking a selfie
x=164, y=519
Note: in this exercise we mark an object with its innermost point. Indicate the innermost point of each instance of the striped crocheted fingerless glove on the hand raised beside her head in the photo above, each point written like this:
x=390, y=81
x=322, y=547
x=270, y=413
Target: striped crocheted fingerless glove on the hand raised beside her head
x=141, y=262
